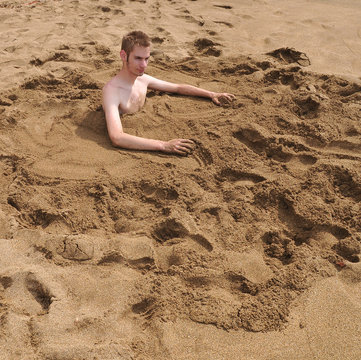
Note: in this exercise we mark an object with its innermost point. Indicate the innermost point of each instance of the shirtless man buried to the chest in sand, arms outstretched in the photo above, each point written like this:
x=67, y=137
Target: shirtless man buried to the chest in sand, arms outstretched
x=126, y=92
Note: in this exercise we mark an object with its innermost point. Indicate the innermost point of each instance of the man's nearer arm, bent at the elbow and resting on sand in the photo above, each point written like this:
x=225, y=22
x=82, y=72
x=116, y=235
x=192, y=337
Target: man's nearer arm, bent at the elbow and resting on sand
x=120, y=139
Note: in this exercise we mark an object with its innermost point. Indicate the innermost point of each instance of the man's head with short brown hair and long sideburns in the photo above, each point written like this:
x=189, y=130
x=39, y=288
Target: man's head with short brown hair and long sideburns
x=135, y=52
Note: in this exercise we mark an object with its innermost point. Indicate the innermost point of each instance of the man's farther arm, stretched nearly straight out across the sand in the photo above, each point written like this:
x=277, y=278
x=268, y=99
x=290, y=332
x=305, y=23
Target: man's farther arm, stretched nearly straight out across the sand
x=185, y=89
